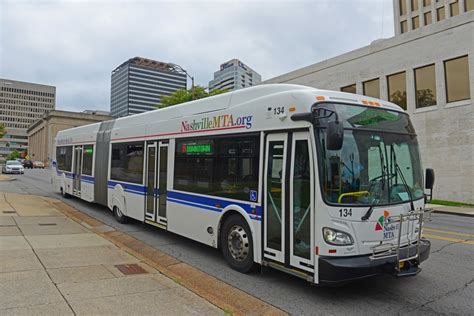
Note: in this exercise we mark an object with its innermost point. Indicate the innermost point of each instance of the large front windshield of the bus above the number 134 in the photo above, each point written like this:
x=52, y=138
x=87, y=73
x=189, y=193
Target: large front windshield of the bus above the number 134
x=379, y=161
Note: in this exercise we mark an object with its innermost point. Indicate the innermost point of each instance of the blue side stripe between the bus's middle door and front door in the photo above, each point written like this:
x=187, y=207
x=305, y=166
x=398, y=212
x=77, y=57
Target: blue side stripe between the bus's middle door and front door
x=210, y=203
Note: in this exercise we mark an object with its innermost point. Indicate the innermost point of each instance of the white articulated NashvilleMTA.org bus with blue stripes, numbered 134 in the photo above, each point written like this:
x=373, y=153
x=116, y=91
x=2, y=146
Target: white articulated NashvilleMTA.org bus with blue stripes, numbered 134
x=325, y=185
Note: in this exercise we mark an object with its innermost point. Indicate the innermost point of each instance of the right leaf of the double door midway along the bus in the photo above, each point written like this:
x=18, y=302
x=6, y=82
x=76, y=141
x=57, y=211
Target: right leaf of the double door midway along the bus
x=162, y=177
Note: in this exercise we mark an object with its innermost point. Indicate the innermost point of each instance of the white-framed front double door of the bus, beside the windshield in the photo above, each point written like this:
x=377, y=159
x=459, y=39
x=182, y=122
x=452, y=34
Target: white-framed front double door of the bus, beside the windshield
x=288, y=203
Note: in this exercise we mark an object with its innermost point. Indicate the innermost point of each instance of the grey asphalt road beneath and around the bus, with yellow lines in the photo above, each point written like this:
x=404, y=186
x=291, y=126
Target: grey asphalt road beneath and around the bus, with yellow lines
x=446, y=284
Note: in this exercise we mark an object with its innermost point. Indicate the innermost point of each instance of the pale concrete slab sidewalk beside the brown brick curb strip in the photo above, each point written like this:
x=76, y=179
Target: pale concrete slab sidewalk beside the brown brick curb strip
x=52, y=265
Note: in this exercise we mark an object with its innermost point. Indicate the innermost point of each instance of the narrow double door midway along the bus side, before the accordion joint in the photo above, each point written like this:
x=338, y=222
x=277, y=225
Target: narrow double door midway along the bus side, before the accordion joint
x=156, y=183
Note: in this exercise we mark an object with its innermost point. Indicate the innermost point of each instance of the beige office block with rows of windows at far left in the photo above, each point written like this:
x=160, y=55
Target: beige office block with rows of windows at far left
x=21, y=104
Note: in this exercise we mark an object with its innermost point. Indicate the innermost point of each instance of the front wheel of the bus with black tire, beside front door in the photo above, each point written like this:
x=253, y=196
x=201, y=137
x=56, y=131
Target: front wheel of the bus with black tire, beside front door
x=237, y=244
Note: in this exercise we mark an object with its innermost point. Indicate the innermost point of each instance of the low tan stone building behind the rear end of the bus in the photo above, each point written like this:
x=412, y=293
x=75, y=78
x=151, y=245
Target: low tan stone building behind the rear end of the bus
x=41, y=133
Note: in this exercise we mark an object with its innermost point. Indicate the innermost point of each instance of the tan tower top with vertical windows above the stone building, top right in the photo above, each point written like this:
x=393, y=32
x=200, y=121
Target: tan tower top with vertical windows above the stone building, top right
x=412, y=14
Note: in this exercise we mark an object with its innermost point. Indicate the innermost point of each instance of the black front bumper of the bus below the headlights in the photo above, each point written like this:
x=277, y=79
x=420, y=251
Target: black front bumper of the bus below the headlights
x=339, y=270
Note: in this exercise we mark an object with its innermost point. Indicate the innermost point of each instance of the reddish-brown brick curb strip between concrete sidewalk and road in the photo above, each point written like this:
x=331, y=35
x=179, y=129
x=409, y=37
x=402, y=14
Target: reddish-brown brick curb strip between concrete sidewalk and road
x=223, y=295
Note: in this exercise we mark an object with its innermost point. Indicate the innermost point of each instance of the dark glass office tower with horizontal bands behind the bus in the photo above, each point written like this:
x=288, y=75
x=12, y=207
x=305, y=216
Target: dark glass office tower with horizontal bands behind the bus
x=139, y=83
